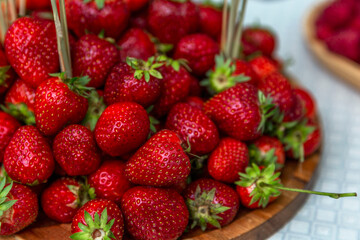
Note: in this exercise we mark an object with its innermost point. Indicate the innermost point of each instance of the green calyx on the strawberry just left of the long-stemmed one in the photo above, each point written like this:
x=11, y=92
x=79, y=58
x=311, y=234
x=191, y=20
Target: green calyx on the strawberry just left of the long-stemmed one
x=203, y=211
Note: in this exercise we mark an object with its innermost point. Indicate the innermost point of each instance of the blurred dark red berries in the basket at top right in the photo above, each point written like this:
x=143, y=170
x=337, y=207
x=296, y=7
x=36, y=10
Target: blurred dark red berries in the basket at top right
x=339, y=27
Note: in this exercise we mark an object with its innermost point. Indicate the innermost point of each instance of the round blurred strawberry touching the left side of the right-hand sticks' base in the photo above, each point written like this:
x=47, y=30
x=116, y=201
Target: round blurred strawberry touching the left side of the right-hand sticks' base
x=199, y=51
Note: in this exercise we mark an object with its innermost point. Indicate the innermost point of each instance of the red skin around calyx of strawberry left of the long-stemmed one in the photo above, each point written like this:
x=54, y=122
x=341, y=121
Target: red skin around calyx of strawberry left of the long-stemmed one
x=224, y=195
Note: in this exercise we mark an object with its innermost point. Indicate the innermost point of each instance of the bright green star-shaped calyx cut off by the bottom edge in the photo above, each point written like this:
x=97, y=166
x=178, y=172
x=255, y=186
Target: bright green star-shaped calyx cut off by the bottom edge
x=95, y=229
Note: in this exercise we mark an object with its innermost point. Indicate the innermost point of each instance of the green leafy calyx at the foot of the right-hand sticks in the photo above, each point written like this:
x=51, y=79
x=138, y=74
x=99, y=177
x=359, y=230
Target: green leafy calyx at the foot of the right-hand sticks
x=223, y=76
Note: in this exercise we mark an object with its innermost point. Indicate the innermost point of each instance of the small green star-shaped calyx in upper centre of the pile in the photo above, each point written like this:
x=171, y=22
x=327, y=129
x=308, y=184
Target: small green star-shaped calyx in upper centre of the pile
x=145, y=68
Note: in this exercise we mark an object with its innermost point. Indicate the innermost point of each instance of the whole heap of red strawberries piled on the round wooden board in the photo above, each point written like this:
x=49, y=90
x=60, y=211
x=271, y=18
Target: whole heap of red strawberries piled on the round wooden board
x=157, y=132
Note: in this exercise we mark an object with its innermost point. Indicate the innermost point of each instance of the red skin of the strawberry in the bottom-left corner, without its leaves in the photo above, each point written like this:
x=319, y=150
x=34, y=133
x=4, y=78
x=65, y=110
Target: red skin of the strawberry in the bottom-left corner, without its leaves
x=22, y=213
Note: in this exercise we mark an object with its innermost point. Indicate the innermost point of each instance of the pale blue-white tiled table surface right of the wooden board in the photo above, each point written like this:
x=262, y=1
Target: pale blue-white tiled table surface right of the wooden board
x=339, y=106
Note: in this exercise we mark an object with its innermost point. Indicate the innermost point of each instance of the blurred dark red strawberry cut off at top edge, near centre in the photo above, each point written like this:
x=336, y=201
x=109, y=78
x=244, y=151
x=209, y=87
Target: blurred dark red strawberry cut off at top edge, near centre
x=170, y=20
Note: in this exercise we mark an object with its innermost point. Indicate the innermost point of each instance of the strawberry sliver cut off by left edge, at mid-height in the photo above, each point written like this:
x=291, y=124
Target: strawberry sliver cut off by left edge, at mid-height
x=8, y=126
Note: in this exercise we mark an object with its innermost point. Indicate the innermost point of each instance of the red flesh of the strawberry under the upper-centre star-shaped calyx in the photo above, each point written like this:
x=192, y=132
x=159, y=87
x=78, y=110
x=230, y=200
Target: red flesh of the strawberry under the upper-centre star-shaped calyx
x=122, y=86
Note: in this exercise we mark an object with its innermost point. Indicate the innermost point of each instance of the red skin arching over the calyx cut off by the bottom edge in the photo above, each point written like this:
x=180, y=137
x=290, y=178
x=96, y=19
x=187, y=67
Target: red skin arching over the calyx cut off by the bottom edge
x=98, y=206
